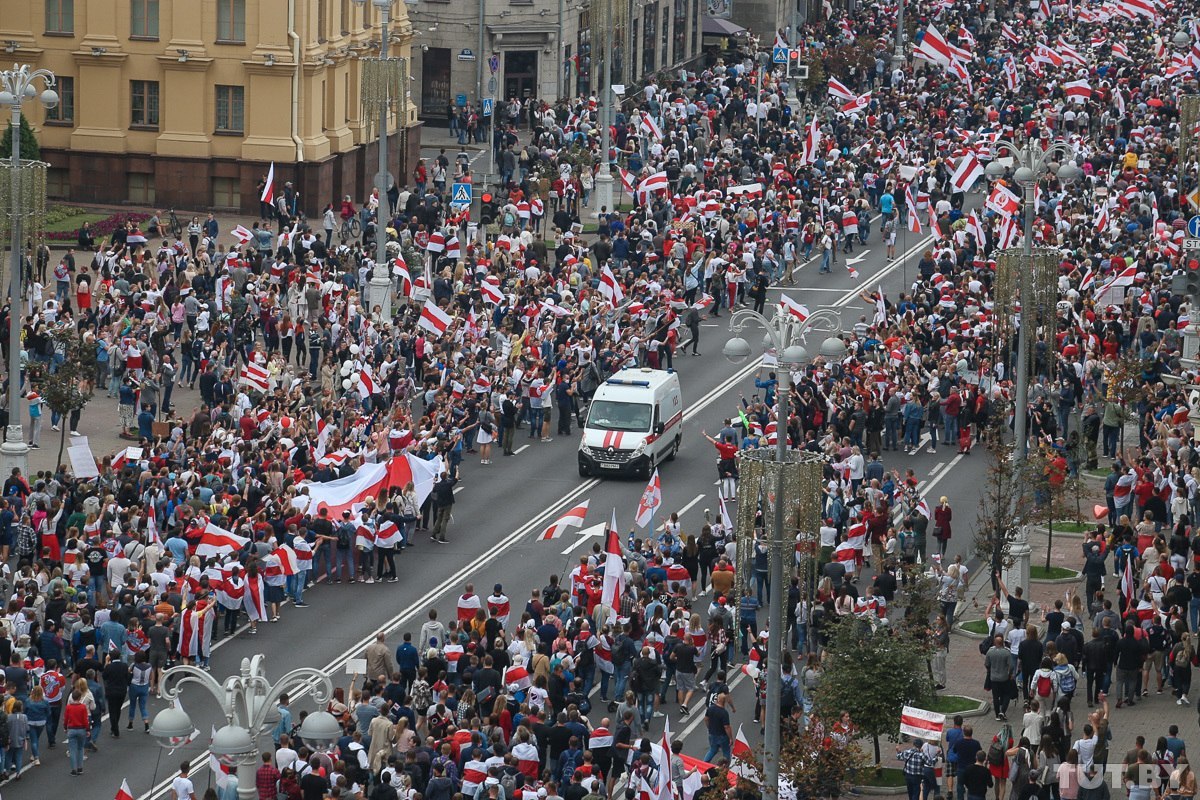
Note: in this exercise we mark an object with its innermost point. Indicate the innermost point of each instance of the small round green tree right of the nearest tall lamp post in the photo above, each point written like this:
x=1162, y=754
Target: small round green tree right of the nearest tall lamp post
x=873, y=675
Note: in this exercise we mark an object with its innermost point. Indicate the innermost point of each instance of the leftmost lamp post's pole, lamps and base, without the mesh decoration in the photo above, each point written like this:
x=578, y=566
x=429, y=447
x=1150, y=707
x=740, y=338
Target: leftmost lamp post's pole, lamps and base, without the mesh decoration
x=19, y=87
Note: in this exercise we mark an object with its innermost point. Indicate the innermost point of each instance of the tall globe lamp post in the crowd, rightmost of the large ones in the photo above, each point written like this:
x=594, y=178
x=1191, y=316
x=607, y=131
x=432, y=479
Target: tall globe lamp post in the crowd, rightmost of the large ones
x=1031, y=161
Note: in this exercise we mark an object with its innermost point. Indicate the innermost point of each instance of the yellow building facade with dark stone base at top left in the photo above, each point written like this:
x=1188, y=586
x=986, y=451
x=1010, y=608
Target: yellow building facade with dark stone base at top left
x=185, y=104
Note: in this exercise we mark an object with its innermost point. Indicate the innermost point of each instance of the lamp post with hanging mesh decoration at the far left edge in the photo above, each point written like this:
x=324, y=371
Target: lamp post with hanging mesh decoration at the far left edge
x=27, y=197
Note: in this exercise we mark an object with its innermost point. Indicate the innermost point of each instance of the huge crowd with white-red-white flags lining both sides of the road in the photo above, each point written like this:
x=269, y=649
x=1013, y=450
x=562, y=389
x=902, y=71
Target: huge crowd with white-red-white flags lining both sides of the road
x=742, y=179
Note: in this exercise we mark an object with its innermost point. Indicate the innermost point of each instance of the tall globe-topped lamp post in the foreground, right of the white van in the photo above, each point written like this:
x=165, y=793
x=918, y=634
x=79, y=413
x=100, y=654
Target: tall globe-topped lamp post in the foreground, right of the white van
x=784, y=333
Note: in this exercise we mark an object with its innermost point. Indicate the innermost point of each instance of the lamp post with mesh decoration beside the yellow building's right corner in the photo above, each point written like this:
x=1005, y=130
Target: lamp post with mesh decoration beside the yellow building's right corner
x=385, y=81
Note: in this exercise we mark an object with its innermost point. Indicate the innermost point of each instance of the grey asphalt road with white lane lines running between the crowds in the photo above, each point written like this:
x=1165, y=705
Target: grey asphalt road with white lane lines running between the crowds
x=500, y=514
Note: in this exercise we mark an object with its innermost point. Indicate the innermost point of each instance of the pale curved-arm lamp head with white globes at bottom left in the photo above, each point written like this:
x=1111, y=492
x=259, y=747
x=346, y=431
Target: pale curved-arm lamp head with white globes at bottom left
x=248, y=701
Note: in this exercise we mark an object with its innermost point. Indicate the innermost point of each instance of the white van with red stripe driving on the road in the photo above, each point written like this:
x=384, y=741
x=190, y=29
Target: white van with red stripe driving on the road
x=635, y=423
